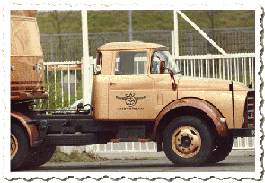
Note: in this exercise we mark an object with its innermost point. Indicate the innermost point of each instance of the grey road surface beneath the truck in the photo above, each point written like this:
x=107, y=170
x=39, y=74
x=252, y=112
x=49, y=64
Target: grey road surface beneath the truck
x=159, y=164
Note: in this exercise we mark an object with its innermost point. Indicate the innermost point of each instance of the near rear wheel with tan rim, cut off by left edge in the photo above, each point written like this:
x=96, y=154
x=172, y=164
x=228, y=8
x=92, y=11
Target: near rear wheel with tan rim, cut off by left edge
x=19, y=146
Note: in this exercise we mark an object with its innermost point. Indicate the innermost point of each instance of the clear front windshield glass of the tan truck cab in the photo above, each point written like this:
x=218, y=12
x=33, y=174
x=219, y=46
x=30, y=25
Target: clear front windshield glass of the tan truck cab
x=163, y=55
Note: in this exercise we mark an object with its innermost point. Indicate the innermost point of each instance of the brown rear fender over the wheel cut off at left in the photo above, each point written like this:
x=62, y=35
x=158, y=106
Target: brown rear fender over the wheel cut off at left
x=31, y=129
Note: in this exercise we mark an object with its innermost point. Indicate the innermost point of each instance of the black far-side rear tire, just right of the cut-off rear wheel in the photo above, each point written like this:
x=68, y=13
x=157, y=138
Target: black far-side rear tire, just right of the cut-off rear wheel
x=37, y=157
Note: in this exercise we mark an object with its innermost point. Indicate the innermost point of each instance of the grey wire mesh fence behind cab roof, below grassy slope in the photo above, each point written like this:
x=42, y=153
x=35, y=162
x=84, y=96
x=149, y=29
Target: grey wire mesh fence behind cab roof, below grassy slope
x=68, y=47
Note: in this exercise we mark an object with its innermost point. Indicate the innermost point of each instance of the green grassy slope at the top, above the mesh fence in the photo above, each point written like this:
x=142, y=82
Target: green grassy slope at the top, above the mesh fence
x=51, y=22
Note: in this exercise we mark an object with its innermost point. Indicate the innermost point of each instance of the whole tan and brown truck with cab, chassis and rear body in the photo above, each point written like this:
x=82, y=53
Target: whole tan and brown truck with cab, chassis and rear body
x=139, y=95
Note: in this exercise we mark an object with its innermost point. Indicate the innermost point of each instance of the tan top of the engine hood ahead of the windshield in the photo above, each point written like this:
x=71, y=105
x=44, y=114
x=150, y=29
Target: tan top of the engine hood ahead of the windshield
x=207, y=84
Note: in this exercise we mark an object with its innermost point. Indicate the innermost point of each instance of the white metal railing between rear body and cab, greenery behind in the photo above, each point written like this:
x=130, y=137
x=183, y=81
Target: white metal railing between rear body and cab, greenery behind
x=62, y=80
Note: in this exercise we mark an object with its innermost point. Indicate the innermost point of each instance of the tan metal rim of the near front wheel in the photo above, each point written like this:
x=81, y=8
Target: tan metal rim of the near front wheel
x=186, y=141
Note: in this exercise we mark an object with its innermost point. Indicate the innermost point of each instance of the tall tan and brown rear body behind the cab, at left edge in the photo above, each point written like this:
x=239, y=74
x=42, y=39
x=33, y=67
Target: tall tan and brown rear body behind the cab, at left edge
x=27, y=76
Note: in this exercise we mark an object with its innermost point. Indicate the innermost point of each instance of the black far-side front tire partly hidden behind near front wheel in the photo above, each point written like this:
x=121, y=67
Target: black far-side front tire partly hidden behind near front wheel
x=223, y=147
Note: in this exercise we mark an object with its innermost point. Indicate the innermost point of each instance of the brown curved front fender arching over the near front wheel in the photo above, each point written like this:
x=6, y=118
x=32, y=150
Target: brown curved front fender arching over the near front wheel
x=202, y=105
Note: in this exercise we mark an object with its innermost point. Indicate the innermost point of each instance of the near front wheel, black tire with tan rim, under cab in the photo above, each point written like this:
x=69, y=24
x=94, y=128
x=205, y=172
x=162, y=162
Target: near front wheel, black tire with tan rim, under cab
x=188, y=141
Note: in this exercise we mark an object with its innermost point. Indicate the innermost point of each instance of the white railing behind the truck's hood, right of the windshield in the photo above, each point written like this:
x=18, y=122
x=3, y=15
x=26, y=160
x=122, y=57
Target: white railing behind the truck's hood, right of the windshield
x=236, y=67
